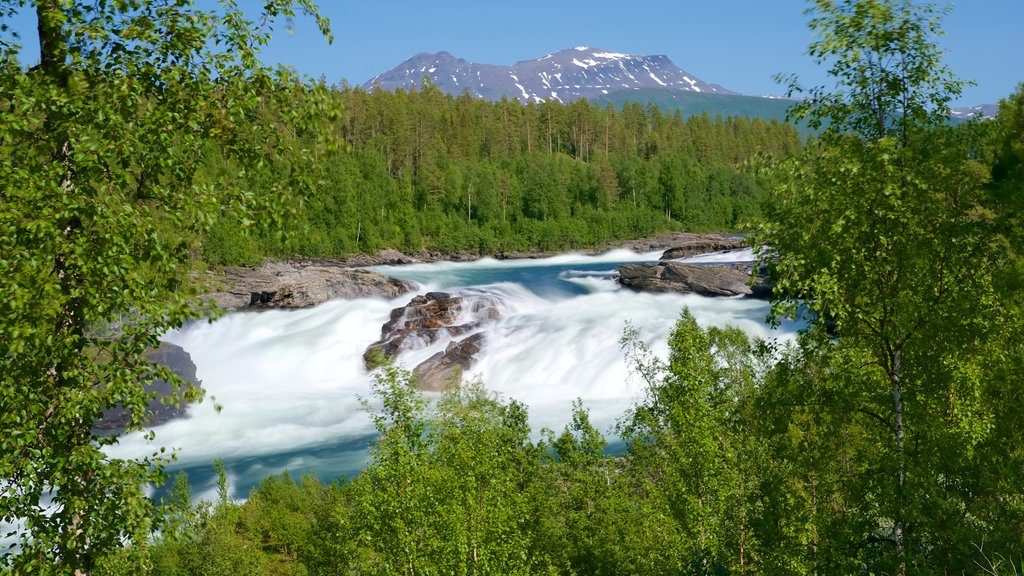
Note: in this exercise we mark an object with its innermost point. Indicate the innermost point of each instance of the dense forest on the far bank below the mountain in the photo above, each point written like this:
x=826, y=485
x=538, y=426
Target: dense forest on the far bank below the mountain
x=425, y=171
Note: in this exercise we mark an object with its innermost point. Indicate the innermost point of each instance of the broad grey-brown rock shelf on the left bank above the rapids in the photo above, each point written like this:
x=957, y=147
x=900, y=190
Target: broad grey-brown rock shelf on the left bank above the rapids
x=303, y=284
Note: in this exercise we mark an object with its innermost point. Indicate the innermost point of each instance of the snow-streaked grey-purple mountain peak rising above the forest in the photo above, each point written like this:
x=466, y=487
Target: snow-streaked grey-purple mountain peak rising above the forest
x=565, y=76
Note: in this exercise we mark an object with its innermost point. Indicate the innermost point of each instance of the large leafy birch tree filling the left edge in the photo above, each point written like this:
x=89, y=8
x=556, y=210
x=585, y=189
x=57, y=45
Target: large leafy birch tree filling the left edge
x=101, y=197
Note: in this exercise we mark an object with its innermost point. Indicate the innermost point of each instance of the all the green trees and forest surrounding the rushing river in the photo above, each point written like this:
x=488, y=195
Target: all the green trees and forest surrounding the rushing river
x=150, y=145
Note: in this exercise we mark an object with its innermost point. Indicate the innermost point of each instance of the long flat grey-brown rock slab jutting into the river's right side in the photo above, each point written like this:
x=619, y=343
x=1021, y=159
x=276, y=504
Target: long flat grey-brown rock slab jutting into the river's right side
x=707, y=280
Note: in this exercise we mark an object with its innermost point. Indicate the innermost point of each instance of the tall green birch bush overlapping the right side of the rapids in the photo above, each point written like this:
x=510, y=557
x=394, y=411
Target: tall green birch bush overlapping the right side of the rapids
x=691, y=447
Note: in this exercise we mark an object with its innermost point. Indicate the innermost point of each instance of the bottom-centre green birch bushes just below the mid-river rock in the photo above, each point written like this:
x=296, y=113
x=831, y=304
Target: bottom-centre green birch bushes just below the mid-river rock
x=446, y=490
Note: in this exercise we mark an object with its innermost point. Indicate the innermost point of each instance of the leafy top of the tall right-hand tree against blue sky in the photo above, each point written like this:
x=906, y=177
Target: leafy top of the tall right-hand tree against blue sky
x=888, y=73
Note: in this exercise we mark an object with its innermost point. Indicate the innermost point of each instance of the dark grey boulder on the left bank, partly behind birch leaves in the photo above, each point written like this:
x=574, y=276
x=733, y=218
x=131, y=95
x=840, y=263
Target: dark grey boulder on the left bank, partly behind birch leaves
x=158, y=413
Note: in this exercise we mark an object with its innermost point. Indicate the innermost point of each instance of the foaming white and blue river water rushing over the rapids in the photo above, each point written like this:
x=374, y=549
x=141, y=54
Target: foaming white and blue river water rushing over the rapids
x=290, y=383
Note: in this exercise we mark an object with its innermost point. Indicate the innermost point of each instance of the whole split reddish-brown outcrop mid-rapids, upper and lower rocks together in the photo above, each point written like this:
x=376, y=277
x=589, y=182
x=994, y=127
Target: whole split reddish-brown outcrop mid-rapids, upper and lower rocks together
x=426, y=319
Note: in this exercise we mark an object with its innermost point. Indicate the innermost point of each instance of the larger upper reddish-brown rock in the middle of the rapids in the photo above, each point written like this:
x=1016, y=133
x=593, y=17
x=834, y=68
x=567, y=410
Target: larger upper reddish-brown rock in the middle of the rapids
x=426, y=319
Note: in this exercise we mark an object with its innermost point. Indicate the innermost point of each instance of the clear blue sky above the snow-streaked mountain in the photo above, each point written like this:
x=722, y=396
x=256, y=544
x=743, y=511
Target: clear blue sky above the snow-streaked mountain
x=740, y=45
